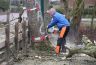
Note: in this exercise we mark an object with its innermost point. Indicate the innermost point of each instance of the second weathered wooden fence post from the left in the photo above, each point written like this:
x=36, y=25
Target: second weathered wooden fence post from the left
x=16, y=38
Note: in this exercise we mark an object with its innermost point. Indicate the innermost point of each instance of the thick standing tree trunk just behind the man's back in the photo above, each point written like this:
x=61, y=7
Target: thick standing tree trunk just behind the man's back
x=76, y=14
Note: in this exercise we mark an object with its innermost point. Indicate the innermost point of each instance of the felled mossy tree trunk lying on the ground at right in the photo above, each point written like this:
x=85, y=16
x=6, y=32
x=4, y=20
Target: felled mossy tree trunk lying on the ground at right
x=89, y=49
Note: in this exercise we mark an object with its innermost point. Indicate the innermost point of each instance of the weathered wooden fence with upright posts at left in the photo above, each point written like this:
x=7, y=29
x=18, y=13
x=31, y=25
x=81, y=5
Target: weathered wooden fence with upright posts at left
x=16, y=44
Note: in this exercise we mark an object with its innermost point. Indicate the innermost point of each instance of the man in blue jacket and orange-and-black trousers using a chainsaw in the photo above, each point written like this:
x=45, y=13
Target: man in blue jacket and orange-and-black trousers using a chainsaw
x=63, y=25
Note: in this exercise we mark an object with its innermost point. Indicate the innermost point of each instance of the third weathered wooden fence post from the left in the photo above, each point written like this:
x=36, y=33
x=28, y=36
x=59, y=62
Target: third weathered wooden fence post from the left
x=24, y=37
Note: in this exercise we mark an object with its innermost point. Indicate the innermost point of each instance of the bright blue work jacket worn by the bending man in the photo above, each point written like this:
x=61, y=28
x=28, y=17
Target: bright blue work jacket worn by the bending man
x=59, y=20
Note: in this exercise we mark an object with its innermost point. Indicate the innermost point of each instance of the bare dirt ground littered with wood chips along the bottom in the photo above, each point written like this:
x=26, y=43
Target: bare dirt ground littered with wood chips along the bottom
x=36, y=57
